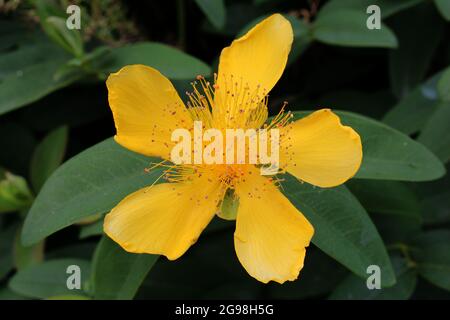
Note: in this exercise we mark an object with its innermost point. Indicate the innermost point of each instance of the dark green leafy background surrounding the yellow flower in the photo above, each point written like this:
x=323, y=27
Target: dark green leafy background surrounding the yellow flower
x=60, y=172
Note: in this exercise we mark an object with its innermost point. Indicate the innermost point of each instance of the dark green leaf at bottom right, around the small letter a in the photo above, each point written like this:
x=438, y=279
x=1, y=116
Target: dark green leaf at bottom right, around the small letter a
x=354, y=288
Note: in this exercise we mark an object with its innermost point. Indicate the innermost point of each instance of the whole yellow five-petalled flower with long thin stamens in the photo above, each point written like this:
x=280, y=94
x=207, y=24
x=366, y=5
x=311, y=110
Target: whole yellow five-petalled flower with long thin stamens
x=167, y=218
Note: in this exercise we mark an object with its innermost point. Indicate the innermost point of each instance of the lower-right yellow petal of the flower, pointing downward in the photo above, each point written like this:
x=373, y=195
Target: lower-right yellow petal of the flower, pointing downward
x=271, y=234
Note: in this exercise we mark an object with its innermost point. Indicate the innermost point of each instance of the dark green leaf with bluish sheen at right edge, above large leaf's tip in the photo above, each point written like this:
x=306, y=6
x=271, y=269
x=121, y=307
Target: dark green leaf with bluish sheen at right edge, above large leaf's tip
x=412, y=112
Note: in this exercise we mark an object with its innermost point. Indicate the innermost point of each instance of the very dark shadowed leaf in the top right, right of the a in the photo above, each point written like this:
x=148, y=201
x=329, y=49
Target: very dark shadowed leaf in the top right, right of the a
x=409, y=63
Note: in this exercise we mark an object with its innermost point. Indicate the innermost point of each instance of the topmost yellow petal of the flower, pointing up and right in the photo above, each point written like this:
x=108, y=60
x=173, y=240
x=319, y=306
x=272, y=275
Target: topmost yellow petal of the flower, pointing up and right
x=255, y=61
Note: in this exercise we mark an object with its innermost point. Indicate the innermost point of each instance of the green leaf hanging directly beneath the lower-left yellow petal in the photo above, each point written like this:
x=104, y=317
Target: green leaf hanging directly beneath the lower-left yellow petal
x=118, y=274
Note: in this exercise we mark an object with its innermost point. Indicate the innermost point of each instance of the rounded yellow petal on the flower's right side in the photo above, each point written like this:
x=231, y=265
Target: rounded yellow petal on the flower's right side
x=318, y=149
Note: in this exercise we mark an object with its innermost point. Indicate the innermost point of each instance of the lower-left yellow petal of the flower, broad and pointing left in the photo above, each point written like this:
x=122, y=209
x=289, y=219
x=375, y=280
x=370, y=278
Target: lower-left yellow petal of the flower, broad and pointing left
x=166, y=218
